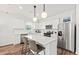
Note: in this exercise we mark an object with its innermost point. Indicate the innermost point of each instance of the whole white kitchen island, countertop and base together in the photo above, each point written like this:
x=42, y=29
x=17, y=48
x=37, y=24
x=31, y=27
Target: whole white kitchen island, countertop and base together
x=50, y=43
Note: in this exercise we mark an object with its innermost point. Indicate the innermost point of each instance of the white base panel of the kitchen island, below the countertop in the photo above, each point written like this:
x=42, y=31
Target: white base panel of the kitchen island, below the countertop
x=50, y=48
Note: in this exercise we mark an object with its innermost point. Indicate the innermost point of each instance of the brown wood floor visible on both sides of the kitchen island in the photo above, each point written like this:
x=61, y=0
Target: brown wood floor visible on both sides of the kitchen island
x=17, y=50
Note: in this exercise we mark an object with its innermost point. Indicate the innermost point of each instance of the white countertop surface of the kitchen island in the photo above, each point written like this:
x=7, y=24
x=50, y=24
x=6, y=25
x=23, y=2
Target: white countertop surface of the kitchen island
x=41, y=38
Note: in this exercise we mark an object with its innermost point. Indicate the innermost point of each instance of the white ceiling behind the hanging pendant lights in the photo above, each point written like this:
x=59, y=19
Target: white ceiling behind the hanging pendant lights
x=26, y=13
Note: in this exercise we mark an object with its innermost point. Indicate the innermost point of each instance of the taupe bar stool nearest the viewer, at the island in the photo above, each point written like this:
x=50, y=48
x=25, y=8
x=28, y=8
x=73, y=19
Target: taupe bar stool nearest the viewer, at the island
x=35, y=49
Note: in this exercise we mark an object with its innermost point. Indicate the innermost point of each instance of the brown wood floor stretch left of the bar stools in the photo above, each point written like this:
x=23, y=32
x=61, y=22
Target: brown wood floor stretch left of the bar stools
x=11, y=50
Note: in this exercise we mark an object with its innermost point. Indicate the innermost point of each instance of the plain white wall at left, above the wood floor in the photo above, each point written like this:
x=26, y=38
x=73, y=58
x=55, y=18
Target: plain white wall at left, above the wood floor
x=8, y=26
